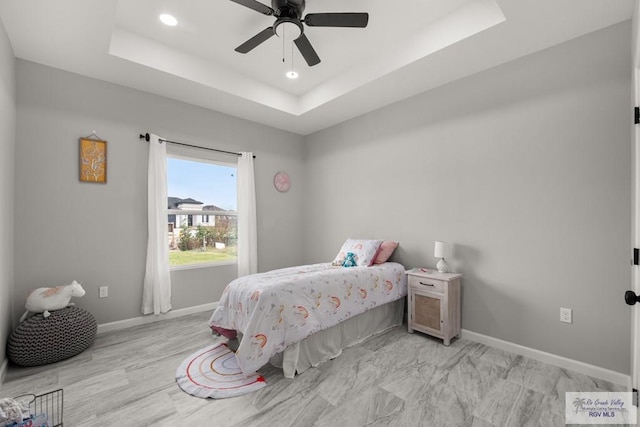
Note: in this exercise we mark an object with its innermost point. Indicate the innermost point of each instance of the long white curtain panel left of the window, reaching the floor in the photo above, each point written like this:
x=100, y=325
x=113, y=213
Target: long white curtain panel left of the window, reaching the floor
x=156, y=294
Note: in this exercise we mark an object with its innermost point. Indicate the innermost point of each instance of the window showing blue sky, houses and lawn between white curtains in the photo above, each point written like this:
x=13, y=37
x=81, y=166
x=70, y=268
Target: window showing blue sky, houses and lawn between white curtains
x=202, y=212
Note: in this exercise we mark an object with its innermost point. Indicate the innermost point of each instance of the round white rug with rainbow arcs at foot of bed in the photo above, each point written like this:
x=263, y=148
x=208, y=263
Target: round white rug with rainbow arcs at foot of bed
x=214, y=372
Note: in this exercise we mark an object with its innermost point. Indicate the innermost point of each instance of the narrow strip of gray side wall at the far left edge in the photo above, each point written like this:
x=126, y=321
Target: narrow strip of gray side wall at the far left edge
x=7, y=147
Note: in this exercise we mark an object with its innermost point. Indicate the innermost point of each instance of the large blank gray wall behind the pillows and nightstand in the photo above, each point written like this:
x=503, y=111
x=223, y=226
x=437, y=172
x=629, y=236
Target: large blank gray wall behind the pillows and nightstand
x=526, y=168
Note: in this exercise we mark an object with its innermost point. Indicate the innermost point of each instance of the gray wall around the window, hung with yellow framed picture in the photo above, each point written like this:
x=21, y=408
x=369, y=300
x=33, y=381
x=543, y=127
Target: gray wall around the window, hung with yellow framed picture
x=95, y=233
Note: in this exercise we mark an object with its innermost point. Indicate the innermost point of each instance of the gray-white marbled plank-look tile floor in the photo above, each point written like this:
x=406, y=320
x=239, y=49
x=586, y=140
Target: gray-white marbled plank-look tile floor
x=127, y=378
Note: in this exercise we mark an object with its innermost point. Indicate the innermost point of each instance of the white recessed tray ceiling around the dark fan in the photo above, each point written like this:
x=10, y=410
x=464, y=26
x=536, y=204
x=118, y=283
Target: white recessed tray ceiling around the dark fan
x=409, y=48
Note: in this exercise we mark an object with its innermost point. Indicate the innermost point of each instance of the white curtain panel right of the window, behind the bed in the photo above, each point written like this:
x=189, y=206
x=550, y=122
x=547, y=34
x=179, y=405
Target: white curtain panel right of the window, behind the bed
x=247, y=225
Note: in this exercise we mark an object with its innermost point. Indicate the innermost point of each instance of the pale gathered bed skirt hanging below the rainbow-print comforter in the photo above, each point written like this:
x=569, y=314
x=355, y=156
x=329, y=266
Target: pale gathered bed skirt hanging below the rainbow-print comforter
x=328, y=344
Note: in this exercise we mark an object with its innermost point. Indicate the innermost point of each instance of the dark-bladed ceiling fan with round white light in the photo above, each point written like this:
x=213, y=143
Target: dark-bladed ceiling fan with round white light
x=289, y=26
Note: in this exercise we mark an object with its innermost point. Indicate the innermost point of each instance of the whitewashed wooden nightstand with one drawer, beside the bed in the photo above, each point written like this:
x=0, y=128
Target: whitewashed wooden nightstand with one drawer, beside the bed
x=434, y=303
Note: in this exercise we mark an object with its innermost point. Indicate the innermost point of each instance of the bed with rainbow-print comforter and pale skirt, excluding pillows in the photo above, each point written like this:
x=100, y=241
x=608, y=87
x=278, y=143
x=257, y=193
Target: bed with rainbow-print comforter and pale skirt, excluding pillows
x=298, y=317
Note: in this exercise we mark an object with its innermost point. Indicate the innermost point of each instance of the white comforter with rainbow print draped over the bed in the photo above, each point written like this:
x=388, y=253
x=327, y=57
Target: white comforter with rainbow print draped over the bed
x=281, y=307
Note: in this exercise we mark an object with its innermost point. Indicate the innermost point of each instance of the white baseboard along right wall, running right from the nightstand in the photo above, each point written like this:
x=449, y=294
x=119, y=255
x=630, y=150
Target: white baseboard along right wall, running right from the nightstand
x=552, y=359
